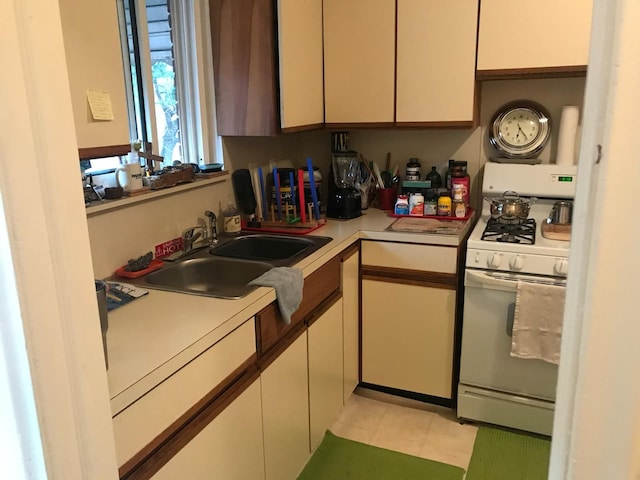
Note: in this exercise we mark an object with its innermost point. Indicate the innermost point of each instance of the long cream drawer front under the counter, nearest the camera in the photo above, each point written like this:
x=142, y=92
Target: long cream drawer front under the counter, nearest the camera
x=139, y=424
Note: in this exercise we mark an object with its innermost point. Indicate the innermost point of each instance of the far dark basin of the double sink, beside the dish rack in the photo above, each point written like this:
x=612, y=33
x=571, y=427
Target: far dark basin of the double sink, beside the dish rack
x=281, y=250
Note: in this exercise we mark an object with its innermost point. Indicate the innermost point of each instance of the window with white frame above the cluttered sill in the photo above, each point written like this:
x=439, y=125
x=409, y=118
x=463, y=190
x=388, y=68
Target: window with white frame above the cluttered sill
x=167, y=54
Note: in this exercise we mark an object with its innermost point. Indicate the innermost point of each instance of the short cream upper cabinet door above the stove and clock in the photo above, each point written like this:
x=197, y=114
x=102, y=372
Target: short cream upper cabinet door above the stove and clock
x=544, y=33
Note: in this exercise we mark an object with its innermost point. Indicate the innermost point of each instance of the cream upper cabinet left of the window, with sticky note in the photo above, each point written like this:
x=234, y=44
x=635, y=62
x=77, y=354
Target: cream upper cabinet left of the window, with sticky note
x=94, y=63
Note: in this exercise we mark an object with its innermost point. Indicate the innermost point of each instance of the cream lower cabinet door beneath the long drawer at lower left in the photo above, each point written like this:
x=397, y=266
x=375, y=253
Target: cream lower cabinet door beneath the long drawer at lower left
x=230, y=447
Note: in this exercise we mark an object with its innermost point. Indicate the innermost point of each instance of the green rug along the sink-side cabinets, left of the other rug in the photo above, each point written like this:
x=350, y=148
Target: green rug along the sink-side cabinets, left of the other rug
x=338, y=459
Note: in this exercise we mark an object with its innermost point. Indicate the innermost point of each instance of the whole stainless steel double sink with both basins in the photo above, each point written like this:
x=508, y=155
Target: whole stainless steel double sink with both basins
x=225, y=270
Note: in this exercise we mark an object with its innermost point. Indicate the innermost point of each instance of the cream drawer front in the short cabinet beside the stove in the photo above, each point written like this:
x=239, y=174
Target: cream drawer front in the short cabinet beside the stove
x=409, y=256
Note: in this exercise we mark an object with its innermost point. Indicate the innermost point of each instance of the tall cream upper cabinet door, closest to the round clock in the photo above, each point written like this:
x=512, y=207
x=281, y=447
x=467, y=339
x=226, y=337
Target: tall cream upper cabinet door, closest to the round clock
x=436, y=60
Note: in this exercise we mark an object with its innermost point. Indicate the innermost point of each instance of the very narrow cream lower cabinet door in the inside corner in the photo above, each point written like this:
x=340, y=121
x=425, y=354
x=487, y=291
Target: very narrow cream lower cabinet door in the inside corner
x=350, y=313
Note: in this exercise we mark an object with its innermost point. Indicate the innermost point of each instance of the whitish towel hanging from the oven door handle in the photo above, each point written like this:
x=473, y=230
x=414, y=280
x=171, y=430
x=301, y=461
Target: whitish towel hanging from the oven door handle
x=537, y=326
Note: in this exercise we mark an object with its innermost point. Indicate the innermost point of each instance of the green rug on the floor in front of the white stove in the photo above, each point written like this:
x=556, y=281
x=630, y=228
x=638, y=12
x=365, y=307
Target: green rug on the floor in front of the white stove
x=504, y=455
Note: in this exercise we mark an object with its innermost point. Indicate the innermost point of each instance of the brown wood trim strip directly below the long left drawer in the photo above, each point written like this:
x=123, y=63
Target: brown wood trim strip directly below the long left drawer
x=151, y=458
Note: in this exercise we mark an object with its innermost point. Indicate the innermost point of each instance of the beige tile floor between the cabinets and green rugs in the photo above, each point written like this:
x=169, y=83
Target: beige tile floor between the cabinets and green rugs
x=406, y=426
